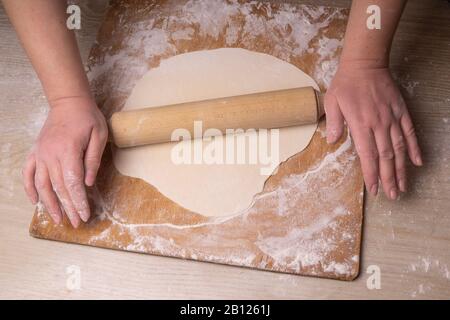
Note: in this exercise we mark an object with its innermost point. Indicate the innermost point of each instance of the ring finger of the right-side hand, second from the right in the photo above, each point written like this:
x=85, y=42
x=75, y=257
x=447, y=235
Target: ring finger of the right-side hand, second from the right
x=398, y=144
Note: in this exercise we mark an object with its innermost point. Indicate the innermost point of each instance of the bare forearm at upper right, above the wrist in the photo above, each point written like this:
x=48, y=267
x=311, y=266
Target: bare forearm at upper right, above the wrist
x=371, y=47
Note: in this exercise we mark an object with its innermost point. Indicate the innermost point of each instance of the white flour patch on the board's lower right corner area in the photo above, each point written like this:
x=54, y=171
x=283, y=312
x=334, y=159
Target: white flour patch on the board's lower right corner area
x=309, y=246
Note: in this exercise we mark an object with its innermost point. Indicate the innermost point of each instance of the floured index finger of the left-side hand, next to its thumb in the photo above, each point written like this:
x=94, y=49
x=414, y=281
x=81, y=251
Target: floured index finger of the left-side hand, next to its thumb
x=72, y=171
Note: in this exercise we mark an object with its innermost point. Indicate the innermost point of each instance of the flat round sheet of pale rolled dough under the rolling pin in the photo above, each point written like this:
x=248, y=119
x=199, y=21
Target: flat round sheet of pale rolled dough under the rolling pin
x=214, y=189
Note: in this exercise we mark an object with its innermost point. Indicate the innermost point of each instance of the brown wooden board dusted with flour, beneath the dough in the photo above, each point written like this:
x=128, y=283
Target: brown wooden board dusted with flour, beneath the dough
x=308, y=218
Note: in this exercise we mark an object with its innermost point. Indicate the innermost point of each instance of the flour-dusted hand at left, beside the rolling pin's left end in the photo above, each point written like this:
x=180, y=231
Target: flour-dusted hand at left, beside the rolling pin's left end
x=66, y=157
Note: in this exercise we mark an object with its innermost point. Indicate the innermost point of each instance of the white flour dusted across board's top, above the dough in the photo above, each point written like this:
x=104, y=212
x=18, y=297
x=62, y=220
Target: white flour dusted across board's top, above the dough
x=289, y=31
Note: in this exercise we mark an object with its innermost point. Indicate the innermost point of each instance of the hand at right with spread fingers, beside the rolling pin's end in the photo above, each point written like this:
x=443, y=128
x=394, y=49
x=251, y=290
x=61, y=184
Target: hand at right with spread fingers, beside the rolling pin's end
x=372, y=106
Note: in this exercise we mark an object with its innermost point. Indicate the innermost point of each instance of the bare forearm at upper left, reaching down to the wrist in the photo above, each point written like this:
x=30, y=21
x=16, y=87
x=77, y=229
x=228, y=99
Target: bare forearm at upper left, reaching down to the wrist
x=51, y=47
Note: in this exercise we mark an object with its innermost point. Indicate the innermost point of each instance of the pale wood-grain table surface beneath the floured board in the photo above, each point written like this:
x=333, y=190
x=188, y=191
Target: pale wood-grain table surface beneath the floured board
x=408, y=240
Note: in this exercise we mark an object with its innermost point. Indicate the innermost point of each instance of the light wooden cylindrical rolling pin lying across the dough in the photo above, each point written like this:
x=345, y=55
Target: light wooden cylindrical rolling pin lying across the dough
x=264, y=110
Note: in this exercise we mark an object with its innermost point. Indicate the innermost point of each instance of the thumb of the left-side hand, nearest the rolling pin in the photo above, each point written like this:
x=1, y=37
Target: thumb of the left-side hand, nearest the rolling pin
x=93, y=157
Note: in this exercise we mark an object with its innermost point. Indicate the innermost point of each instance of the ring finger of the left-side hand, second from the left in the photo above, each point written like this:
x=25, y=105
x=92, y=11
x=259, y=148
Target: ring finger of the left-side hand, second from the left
x=45, y=192
